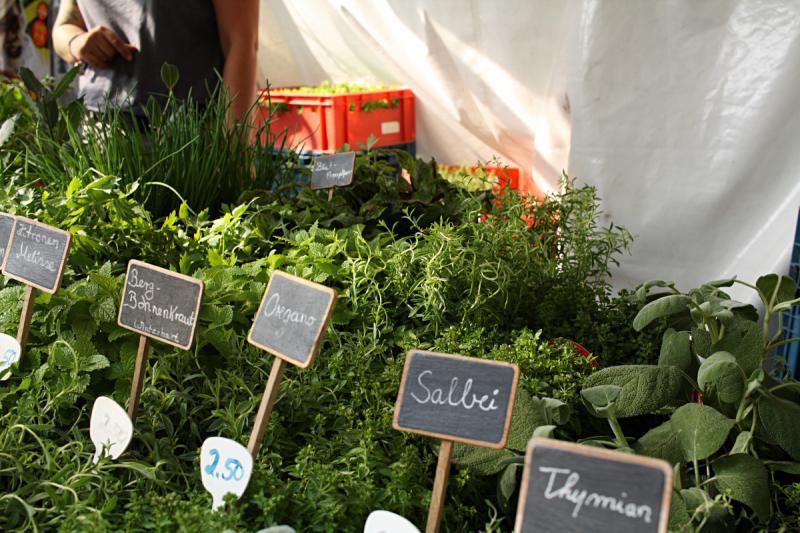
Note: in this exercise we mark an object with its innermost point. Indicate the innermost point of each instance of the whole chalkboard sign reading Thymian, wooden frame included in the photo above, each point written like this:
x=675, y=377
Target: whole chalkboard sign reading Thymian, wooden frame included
x=571, y=488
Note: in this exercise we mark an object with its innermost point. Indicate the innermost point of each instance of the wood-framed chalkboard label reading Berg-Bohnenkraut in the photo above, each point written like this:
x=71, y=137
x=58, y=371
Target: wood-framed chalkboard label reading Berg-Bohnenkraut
x=160, y=304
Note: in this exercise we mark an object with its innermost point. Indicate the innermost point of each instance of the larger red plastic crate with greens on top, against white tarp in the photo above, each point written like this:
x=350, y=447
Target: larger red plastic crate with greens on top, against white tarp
x=323, y=123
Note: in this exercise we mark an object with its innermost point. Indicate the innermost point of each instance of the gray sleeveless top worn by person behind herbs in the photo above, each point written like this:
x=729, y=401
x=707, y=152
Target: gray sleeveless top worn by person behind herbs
x=181, y=32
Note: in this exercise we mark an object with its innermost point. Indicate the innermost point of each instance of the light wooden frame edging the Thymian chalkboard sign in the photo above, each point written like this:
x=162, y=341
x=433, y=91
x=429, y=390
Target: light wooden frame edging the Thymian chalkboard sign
x=599, y=453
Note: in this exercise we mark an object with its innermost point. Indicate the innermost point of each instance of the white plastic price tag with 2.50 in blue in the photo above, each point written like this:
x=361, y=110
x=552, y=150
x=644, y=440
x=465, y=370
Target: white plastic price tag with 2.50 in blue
x=225, y=467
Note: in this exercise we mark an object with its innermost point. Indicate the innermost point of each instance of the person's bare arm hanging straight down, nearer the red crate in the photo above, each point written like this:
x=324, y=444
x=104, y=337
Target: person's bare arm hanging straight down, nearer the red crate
x=237, y=21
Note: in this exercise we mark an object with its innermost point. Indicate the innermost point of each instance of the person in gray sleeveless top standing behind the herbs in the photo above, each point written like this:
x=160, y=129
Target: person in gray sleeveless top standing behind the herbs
x=124, y=43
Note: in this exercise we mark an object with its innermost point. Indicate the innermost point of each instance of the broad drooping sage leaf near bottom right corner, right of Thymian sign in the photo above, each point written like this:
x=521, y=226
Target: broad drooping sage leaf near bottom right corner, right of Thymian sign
x=744, y=479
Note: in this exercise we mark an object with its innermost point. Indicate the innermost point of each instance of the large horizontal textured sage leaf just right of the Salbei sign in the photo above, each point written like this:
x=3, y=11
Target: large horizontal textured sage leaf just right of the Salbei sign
x=645, y=388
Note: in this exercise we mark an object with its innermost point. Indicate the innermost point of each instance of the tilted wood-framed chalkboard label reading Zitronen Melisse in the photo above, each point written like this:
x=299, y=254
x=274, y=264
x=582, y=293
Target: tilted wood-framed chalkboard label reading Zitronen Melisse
x=37, y=254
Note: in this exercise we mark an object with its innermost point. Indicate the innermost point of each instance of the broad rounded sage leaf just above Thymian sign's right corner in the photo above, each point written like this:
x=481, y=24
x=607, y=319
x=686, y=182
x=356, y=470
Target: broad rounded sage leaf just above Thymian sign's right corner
x=702, y=430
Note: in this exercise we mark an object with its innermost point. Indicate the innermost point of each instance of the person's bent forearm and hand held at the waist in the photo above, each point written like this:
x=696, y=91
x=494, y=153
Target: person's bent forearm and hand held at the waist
x=75, y=43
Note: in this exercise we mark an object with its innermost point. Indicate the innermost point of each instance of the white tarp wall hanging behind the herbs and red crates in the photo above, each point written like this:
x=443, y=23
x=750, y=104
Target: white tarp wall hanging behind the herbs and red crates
x=684, y=114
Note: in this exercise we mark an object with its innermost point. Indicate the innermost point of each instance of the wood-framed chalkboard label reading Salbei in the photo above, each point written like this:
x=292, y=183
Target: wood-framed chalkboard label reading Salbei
x=457, y=398
